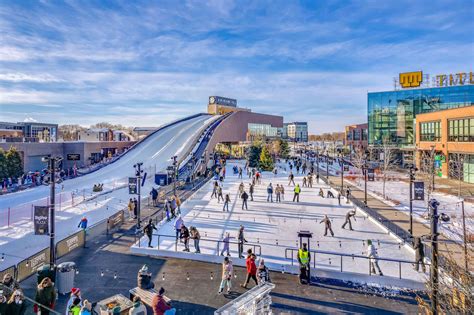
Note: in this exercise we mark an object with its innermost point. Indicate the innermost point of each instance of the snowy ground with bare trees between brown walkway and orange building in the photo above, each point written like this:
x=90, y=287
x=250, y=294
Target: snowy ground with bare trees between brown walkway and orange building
x=398, y=192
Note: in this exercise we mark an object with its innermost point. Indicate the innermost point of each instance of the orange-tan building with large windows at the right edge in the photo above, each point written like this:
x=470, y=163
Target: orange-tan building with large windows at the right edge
x=450, y=134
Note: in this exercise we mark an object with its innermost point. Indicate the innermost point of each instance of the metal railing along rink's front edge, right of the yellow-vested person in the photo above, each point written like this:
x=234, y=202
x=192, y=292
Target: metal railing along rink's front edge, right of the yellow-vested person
x=351, y=256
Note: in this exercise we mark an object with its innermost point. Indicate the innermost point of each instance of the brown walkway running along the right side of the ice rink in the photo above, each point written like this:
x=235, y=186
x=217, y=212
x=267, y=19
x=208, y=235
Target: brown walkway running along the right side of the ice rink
x=402, y=220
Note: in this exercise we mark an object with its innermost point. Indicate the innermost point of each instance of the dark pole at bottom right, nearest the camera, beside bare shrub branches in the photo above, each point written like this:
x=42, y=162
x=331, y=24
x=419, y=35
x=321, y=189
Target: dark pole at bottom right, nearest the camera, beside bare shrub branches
x=434, y=277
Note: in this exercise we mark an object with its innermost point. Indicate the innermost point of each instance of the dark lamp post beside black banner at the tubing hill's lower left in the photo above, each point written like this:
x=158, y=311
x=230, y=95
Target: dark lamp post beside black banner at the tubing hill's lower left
x=52, y=181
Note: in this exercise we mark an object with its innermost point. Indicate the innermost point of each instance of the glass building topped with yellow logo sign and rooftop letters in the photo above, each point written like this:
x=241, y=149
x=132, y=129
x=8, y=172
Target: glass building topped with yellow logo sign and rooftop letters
x=392, y=115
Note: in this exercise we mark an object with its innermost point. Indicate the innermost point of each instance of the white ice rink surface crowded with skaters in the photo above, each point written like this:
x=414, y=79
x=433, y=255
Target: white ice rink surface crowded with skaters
x=274, y=227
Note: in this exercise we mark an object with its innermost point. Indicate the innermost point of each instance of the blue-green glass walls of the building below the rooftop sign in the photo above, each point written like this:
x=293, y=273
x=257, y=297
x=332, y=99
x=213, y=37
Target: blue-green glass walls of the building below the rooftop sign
x=392, y=114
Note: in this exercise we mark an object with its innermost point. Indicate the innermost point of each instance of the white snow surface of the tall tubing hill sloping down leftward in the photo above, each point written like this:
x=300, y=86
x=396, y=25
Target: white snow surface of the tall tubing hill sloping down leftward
x=155, y=151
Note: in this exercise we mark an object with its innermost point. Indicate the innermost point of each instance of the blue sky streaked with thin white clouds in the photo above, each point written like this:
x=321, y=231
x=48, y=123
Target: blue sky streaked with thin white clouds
x=143, y=63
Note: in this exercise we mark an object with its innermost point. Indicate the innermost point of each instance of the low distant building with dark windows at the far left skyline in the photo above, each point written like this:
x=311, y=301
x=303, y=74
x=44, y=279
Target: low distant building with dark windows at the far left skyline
x=28, y=132
